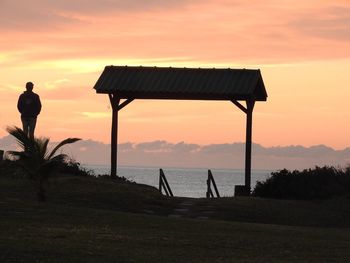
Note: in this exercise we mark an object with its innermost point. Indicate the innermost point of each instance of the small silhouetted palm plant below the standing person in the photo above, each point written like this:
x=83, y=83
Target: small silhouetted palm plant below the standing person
x=35, y=159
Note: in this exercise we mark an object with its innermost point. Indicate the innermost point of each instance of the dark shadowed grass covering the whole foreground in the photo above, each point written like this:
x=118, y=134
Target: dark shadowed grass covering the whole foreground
x=97, y=220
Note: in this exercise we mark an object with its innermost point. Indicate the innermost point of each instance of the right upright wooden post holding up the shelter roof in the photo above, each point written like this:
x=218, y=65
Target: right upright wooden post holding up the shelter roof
x=248, y=145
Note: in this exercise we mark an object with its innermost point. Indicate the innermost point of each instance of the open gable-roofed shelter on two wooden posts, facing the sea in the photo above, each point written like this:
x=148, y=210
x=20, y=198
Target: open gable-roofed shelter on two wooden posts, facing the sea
x=129, y=83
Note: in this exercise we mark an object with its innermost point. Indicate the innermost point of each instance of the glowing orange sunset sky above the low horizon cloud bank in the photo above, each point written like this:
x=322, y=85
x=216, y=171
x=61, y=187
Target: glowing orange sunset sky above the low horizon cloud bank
x=301, y=47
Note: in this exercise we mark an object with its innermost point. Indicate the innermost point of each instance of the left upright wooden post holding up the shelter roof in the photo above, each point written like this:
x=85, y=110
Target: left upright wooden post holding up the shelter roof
x=114, y=134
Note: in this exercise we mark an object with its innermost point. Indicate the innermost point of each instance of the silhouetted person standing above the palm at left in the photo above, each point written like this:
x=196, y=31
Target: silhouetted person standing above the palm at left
x=29, y=106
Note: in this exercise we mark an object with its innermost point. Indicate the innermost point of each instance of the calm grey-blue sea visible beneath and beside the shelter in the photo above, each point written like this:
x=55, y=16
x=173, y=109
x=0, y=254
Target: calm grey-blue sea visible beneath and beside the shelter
x=187, y=182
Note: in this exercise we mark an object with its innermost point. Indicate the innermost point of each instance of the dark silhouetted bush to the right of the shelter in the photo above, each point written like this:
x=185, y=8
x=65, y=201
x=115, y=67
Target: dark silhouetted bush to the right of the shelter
x=318, y=183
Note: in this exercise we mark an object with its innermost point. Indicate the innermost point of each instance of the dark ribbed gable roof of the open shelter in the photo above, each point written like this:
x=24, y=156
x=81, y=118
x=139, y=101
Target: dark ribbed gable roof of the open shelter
x=181, y=83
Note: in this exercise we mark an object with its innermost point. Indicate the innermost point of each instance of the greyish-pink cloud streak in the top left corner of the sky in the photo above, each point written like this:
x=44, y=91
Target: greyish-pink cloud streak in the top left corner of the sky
x=38, y=14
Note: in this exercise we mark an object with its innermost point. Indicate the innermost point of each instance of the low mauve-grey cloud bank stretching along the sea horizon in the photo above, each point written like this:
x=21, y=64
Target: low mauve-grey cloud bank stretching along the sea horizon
x=165, y=154
